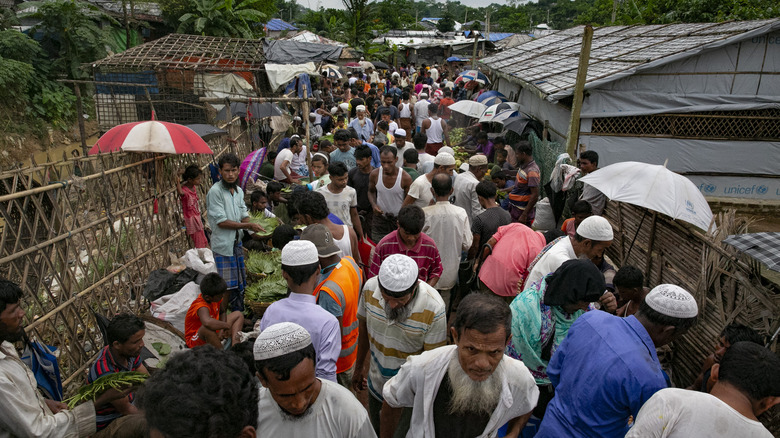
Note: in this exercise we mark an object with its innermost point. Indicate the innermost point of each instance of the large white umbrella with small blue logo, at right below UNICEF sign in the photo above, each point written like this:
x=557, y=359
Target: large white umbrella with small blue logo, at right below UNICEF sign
x=654, y=187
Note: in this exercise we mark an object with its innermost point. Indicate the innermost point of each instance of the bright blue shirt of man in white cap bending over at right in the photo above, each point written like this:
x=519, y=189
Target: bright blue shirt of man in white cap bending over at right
x=604, y=371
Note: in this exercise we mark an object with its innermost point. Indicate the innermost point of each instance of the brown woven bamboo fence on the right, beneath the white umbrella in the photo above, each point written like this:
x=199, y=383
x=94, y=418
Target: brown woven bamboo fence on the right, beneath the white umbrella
x=728, y=285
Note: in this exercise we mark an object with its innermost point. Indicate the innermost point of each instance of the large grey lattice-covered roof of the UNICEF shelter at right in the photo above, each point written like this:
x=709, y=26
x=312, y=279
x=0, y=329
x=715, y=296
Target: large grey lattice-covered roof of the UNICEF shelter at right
x=550, y=63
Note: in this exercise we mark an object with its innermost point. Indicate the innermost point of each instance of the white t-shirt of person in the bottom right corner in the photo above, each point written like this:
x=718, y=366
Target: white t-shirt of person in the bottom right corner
x=679, y=413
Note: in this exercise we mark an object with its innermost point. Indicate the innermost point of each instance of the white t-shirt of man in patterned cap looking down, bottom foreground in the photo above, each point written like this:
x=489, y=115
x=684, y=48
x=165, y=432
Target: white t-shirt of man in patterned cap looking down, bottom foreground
x=335, y=414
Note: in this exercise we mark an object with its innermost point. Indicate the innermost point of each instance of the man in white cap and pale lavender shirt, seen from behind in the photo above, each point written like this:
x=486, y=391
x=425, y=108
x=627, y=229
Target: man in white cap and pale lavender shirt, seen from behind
x=301, y=270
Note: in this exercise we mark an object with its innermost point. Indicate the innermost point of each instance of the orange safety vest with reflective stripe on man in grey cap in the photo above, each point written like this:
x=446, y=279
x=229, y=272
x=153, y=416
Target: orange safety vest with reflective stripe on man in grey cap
x=343, y=285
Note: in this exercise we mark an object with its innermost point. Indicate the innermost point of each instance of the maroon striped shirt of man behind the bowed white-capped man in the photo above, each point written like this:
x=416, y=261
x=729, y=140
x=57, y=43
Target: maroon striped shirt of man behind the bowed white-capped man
x=424, y=253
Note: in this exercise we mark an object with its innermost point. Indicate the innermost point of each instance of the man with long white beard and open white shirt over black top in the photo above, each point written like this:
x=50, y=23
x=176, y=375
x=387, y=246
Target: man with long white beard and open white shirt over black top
x=470, y=389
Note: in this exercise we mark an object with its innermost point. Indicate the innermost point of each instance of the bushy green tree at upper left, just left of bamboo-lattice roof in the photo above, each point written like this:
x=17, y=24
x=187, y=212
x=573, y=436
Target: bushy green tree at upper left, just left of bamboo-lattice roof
x=71, y=33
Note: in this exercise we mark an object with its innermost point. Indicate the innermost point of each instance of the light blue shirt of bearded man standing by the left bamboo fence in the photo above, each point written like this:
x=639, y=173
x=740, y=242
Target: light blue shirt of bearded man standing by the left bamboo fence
x=224, y=206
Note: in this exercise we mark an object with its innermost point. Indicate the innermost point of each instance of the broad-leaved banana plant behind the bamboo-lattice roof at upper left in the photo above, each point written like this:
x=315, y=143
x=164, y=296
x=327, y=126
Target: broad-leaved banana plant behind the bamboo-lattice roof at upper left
x=222, y=18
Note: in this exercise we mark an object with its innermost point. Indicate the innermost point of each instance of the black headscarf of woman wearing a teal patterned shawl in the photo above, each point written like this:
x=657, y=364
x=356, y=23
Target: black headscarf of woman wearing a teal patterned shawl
x=575, y=281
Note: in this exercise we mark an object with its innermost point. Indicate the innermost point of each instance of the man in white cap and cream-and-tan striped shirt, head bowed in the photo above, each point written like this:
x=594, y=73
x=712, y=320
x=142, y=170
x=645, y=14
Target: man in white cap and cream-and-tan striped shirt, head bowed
x=400, y=316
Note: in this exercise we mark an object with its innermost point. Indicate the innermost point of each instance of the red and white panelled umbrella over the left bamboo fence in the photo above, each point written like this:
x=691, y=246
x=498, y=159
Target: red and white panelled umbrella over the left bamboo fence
x=151, y=136
